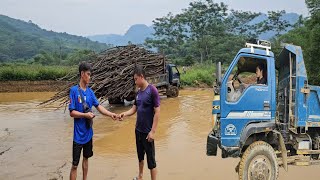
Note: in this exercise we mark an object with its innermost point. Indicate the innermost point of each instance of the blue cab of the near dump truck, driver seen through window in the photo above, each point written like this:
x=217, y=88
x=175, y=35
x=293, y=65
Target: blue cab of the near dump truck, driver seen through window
x=243, y=105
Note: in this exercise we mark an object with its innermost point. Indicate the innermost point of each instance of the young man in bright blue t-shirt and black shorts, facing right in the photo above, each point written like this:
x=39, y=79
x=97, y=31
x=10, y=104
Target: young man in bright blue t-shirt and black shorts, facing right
x=82, y=99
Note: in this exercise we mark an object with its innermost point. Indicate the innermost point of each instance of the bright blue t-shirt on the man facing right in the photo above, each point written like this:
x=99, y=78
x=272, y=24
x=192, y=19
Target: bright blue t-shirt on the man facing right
x=81, y=134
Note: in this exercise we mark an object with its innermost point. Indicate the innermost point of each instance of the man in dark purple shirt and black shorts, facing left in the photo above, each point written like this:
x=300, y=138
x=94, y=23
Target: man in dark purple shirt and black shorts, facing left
x=147, y=106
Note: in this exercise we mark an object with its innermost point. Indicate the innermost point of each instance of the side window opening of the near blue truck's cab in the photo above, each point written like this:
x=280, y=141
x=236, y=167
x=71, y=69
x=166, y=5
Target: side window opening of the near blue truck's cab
x=248, y=71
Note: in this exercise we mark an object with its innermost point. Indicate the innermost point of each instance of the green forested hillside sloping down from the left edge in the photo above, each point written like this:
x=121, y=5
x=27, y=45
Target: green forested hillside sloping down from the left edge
x=20, y=39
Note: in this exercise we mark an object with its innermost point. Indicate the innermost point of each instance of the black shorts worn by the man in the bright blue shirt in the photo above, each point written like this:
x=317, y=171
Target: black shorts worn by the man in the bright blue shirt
x=76, y=152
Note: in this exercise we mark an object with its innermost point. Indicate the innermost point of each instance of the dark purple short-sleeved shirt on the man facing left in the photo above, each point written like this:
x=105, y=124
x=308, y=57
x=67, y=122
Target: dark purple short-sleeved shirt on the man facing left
x=145, y=102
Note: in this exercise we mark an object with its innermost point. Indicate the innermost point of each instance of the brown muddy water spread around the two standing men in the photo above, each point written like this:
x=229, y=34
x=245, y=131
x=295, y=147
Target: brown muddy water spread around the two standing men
x=35, y=143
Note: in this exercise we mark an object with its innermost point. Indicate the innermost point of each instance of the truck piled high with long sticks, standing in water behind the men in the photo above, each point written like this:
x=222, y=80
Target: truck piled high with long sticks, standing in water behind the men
x=112, y=75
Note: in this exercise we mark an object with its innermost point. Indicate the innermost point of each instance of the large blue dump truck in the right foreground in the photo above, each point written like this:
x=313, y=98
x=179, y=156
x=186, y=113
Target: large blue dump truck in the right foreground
x=269, y=125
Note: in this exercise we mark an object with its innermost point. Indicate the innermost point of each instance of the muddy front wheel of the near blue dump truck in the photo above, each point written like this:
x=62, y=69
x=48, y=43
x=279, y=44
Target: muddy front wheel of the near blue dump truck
x=259, y=161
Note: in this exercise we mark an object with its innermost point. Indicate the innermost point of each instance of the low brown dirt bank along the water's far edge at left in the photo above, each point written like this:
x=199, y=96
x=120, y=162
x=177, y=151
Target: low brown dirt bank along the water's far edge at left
x=31, y=86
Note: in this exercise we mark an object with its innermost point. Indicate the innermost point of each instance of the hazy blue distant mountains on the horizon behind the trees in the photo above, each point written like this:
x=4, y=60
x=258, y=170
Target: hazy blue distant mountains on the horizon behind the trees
x=138, y=33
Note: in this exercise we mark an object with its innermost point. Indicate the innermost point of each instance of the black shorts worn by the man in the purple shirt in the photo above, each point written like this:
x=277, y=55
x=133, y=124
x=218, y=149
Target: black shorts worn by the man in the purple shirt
x=145, y=147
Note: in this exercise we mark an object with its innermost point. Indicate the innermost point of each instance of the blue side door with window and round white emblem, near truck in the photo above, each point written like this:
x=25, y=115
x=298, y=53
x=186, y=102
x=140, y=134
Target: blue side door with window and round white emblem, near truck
x=244, y=98
